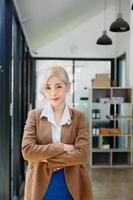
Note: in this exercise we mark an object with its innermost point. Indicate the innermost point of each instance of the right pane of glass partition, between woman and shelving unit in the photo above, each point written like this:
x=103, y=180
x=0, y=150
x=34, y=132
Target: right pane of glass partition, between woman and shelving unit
x=85, y=72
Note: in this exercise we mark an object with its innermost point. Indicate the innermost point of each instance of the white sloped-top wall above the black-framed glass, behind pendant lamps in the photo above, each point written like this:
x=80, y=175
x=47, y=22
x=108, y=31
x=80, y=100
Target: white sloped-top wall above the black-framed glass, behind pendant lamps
x=81, y=42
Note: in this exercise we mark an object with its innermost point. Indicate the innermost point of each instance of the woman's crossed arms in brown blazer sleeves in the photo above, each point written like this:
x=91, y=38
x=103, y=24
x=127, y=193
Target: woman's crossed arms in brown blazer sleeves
x=55, y=155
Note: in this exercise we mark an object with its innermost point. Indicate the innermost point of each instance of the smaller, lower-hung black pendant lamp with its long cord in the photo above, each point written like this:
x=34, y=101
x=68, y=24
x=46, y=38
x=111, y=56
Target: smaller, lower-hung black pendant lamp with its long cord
x=104, y=39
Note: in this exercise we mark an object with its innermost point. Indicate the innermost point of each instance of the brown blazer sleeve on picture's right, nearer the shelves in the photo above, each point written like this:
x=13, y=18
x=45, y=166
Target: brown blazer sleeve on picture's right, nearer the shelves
x=80, y=153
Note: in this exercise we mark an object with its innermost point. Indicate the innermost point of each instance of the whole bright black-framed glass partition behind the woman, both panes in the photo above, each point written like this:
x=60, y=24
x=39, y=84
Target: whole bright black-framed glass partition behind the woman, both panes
x=80, y=73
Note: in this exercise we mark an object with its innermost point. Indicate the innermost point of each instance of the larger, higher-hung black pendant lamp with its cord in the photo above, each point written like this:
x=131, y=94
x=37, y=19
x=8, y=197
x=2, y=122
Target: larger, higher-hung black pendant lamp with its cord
x=119, y=25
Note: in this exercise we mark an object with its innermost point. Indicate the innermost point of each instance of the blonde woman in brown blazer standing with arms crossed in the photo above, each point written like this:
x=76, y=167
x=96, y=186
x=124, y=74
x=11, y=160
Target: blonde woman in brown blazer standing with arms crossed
x=55, y=144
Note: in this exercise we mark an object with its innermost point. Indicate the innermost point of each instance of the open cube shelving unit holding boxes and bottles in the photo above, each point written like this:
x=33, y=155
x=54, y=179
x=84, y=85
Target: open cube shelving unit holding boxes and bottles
x=111, y=109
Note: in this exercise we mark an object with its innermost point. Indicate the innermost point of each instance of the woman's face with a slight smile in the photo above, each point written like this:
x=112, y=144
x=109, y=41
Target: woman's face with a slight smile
x=55, y=91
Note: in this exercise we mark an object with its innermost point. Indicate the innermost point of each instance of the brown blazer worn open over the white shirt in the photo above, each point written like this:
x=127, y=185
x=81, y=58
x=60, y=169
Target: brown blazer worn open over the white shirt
x=37, y=146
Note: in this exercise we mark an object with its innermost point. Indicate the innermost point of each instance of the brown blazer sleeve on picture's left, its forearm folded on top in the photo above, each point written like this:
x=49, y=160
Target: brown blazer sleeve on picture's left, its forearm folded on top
x=32, y=151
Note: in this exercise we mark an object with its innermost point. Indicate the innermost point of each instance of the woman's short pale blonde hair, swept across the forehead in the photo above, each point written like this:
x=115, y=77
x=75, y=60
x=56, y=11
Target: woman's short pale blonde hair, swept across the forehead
x=56, y=71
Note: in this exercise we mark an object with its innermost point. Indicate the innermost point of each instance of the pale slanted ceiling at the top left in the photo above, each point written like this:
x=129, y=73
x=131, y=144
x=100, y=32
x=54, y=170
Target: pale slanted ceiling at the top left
x=44, y=21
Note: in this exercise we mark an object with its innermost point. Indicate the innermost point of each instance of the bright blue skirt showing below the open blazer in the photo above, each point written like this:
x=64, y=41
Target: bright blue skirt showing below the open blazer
x=57, y=188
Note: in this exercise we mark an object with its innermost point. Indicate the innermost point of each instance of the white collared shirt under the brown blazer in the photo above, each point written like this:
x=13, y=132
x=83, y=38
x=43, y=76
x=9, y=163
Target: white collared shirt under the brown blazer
x=56, y=129
